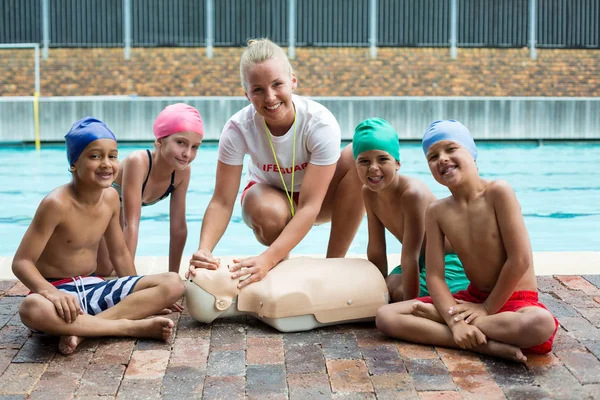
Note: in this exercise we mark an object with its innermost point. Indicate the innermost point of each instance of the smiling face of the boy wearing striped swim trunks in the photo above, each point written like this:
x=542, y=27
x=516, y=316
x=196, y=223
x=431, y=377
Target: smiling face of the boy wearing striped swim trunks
x=98, y=163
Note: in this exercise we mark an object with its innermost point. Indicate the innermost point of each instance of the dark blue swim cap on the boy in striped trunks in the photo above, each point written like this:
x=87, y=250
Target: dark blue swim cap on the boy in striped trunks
x=84, y=132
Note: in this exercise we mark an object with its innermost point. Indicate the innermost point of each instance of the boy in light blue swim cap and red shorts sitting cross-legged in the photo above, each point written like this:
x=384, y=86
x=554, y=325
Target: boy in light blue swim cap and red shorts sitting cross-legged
x=499, y=314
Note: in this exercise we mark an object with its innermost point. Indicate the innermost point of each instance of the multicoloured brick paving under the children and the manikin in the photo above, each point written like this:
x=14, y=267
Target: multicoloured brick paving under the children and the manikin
x=243, y=358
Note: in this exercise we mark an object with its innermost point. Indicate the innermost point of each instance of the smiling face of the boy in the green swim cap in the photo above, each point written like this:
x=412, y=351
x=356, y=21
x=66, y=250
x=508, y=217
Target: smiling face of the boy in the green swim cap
x=377, y=169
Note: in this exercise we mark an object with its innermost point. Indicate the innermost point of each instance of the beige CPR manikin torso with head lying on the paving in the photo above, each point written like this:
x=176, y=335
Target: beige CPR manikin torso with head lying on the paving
x=299, y=294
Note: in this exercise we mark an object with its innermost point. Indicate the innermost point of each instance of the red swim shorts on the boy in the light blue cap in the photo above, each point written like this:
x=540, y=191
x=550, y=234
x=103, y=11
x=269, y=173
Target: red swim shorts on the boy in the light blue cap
x=517, y=301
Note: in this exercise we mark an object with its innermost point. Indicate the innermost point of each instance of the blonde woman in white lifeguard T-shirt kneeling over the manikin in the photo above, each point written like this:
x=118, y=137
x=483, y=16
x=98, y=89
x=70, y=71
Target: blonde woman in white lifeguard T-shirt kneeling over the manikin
x=296, y=175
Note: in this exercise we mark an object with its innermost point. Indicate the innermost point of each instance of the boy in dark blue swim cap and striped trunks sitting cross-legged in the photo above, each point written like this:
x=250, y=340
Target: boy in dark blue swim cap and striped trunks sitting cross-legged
x=58, y=253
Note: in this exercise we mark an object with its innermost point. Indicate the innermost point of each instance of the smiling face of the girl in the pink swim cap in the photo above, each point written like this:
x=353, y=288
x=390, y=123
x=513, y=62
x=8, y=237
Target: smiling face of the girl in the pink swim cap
x=179, y=149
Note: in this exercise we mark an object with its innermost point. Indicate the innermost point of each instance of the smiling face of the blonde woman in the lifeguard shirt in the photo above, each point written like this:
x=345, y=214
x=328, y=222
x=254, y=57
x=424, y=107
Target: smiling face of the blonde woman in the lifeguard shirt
x=269, y=87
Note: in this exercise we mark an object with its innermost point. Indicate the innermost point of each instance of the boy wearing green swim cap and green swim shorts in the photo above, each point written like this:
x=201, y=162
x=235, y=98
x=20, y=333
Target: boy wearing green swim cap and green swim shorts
x=397, y=203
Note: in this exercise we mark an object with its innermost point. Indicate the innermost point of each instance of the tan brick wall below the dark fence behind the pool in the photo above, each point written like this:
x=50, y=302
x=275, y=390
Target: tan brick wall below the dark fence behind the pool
x=320, y=72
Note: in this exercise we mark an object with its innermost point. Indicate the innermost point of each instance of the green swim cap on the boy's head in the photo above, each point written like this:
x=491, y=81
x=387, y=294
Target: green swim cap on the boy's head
x=375, y=134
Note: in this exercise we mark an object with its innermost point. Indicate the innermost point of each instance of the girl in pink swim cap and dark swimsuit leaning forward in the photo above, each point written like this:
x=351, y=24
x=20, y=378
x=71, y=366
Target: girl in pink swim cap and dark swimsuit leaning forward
x=148, y=176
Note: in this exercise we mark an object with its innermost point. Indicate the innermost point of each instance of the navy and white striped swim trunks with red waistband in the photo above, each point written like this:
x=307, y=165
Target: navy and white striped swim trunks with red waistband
x=96, y=294
